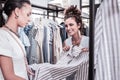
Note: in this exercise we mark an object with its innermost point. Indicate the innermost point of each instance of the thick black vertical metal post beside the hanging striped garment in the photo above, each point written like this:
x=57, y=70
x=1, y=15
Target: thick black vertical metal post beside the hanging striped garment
x=91, y=39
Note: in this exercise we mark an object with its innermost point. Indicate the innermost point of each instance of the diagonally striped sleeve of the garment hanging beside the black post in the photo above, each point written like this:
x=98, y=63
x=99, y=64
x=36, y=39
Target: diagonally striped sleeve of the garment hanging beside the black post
x=98, y=34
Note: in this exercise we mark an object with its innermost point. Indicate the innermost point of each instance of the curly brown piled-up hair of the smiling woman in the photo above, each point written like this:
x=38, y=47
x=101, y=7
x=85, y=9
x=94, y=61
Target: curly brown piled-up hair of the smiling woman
x=75, y=13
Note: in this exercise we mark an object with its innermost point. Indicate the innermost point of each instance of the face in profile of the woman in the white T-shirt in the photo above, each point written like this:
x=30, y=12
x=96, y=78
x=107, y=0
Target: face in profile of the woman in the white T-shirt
x=24, y=15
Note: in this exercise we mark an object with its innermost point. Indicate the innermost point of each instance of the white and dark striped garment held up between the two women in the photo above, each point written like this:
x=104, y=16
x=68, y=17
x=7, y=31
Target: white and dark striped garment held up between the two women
x=69, y=64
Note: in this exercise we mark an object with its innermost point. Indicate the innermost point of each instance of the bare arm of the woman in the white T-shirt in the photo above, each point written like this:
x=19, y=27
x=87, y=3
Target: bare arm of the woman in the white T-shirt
x=6, y=65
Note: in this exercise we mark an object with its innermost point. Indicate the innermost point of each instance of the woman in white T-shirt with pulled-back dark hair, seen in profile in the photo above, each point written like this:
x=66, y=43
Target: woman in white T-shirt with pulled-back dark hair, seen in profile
x=13, y=64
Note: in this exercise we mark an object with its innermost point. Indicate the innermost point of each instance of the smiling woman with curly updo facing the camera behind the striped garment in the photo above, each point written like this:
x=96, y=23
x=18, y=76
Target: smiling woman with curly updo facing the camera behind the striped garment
x=74, y=28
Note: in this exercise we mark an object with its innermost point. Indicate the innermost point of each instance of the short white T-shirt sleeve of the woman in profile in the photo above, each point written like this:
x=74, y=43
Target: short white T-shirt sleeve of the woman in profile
x=5, y=48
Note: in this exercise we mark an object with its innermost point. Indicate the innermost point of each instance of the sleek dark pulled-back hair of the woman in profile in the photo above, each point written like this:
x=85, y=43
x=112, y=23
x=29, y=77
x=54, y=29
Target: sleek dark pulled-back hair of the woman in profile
x=9, y=6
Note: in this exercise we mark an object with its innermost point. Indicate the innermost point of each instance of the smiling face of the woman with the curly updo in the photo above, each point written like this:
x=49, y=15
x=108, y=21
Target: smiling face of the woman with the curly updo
x=72, y=27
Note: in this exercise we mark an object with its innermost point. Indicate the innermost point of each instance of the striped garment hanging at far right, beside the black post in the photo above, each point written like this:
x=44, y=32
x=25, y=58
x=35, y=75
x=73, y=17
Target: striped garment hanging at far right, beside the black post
x=107, y=41
